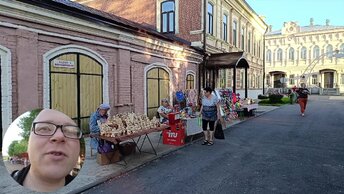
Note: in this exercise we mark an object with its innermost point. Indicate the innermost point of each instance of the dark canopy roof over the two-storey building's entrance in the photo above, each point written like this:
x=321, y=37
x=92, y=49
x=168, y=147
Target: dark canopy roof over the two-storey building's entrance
x=227, y=61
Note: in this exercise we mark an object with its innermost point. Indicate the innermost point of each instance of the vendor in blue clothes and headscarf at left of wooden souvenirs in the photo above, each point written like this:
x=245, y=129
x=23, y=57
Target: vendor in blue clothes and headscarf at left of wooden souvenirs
x=98, y=117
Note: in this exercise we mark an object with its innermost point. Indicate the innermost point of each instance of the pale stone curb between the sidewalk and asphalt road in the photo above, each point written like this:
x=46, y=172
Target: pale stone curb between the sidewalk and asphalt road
x=128, y=170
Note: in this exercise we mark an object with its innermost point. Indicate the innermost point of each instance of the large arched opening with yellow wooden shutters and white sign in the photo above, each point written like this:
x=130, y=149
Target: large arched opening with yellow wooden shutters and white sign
x=80, y=77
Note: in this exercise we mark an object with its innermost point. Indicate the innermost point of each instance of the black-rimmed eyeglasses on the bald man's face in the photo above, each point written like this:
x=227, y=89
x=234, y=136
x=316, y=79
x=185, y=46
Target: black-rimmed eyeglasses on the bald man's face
x=49, y=129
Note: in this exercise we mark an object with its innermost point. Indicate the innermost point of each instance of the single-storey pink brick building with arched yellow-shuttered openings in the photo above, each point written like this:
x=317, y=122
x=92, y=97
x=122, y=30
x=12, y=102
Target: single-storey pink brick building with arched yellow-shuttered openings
x=62, y=55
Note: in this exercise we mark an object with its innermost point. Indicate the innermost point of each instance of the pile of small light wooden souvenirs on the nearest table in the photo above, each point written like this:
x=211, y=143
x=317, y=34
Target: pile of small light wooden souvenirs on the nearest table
x=126, y=124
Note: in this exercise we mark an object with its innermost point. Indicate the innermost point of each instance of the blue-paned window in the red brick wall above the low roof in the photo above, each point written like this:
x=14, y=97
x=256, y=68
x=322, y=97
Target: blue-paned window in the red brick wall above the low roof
x=167, y=16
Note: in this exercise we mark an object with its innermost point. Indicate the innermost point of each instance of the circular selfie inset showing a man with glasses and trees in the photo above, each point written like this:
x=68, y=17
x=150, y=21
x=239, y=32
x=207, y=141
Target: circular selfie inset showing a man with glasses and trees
x=57, y=155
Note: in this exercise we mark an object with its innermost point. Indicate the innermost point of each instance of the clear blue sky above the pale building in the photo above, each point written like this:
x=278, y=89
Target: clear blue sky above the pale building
x=279, y=11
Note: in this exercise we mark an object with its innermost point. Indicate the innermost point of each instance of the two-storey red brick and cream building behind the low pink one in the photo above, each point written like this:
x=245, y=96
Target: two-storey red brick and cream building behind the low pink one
x=232, y=27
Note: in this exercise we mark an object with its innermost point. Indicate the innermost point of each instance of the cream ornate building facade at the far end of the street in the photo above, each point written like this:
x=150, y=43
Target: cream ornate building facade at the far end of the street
x=312, y=54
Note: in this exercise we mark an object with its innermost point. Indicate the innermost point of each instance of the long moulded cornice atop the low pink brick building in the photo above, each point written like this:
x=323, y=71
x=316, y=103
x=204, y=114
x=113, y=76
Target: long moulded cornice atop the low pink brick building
x=25, y=12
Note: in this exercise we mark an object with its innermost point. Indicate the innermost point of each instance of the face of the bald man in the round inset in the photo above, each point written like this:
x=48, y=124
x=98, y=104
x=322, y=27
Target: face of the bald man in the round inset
x=53, y=157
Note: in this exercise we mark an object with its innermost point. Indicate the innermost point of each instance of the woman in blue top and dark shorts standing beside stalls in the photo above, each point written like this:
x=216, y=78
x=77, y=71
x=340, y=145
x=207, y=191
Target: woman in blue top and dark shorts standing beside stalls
x=210, y=111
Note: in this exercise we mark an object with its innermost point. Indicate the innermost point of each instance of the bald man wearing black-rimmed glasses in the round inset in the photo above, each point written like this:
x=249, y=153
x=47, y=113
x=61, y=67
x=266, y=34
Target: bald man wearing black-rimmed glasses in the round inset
x=53, y=150
